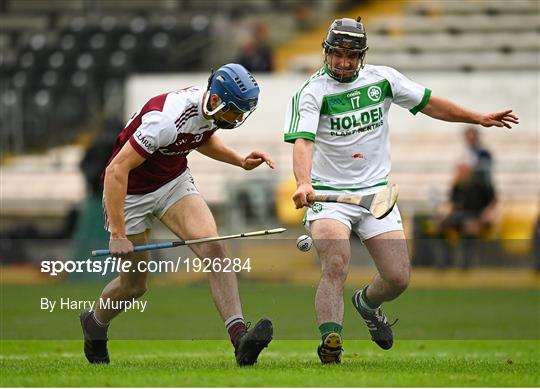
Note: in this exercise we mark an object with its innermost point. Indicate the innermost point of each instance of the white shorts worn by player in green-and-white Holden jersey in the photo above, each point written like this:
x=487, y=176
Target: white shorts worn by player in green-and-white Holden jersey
x=358, y=219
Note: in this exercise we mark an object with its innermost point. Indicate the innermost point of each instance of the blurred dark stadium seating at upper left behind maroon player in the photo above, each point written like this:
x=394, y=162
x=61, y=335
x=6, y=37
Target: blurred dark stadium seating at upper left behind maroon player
x=60, y=58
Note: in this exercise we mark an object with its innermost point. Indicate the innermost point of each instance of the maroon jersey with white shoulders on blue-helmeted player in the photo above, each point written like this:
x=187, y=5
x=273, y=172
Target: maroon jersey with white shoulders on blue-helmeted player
x=164, y=131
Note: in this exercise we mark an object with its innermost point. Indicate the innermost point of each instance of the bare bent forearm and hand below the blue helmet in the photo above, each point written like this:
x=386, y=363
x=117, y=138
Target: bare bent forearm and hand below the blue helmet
x=216, y=149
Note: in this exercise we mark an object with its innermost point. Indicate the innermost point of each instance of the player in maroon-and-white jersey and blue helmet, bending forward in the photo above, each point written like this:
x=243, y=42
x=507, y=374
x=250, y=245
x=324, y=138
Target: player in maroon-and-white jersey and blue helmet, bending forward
x=147, y=178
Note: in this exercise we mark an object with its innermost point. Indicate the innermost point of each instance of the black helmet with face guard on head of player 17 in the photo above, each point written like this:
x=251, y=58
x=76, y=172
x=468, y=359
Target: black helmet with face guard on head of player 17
x=348, y=37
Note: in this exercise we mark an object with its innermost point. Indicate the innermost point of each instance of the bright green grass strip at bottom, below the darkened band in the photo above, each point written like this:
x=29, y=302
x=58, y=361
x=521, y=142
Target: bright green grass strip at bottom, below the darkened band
x=284, y=363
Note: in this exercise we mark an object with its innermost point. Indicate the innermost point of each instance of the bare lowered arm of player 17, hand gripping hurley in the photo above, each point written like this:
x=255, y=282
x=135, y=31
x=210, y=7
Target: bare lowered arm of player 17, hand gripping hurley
x=302, y=156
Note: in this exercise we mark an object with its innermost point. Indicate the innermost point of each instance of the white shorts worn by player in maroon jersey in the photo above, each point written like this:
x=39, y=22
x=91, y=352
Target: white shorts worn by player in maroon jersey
x=140, y=211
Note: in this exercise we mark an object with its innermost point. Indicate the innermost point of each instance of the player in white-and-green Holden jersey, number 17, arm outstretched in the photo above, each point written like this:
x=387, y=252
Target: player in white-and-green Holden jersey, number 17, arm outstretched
x=338, y=122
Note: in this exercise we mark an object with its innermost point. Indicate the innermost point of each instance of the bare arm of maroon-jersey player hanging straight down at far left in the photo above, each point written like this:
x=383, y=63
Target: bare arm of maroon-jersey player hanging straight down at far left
x=115, y=189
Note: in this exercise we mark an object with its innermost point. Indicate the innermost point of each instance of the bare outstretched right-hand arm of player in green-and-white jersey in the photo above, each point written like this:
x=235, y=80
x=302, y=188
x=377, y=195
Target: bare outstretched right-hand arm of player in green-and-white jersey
x=449, y=111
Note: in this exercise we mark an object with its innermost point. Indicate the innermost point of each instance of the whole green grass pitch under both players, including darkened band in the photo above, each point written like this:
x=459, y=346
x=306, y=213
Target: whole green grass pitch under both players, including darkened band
x=443, y=338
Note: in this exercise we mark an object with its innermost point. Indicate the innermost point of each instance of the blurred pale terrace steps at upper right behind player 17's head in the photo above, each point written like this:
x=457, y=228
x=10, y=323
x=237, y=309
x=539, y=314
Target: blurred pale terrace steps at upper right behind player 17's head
x=447, y=35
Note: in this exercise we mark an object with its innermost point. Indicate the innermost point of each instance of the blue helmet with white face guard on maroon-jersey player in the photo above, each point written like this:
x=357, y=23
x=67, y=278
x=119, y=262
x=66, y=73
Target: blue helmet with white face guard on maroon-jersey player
x=237, y=91
